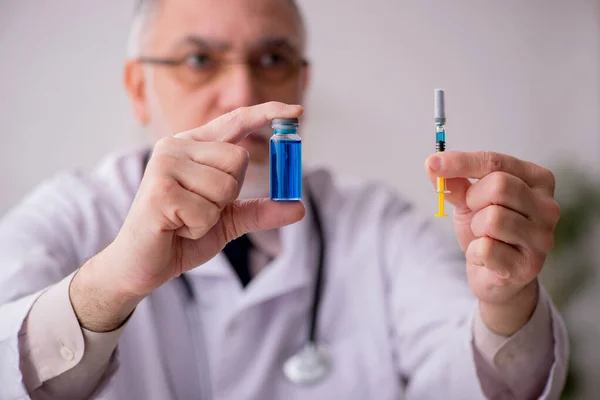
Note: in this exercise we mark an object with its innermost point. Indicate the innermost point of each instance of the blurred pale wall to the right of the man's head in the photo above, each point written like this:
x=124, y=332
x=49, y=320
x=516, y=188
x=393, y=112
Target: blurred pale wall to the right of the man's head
x=521, y=77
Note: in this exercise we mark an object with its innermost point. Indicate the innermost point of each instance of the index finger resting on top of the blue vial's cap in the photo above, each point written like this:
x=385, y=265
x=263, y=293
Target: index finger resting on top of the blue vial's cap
x=237, y=124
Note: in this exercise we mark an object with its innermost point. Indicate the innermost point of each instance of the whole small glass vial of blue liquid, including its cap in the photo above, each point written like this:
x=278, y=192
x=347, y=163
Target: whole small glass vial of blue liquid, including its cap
x=286, y=160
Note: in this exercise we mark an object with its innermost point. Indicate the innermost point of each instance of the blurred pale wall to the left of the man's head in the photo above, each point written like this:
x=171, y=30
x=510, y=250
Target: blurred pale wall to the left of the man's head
x=61, y=100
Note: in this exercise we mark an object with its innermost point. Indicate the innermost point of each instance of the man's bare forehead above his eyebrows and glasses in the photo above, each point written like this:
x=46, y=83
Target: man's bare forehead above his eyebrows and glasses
x=236, y=22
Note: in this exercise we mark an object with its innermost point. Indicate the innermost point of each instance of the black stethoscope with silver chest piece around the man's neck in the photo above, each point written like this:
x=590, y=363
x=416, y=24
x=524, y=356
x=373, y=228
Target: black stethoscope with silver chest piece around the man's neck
x=313, y=362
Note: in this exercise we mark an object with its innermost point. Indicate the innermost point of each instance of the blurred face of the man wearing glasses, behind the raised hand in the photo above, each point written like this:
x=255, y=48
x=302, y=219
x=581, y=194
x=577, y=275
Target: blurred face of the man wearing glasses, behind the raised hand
x=234, y=53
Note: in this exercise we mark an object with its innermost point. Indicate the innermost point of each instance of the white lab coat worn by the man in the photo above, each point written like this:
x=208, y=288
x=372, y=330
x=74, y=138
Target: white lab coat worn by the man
x=395, y=304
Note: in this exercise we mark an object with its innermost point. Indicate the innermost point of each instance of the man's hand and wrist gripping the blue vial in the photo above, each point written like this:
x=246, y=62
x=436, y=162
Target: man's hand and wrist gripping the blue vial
x=184, y=213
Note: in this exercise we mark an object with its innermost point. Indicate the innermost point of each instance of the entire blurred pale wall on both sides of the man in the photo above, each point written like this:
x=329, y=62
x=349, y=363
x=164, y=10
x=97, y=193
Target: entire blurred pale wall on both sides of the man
x=521, y=77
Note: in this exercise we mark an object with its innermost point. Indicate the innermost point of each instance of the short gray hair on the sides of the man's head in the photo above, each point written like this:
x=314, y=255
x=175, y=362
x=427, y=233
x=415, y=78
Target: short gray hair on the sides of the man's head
x=144, y=11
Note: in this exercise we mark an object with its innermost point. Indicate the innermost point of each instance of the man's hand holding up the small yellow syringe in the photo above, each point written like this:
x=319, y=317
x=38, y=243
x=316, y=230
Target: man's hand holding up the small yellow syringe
x=505, y=224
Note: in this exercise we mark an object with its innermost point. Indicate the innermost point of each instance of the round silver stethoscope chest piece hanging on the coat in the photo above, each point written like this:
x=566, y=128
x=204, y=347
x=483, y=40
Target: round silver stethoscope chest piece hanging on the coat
x=308, y=367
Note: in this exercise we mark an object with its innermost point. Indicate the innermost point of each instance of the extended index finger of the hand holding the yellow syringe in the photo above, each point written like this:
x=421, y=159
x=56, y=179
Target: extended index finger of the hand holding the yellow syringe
x=457, y=164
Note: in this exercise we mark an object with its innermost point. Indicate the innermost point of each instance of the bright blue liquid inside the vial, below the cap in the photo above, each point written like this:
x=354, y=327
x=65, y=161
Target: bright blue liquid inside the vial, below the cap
x=286, y=169
